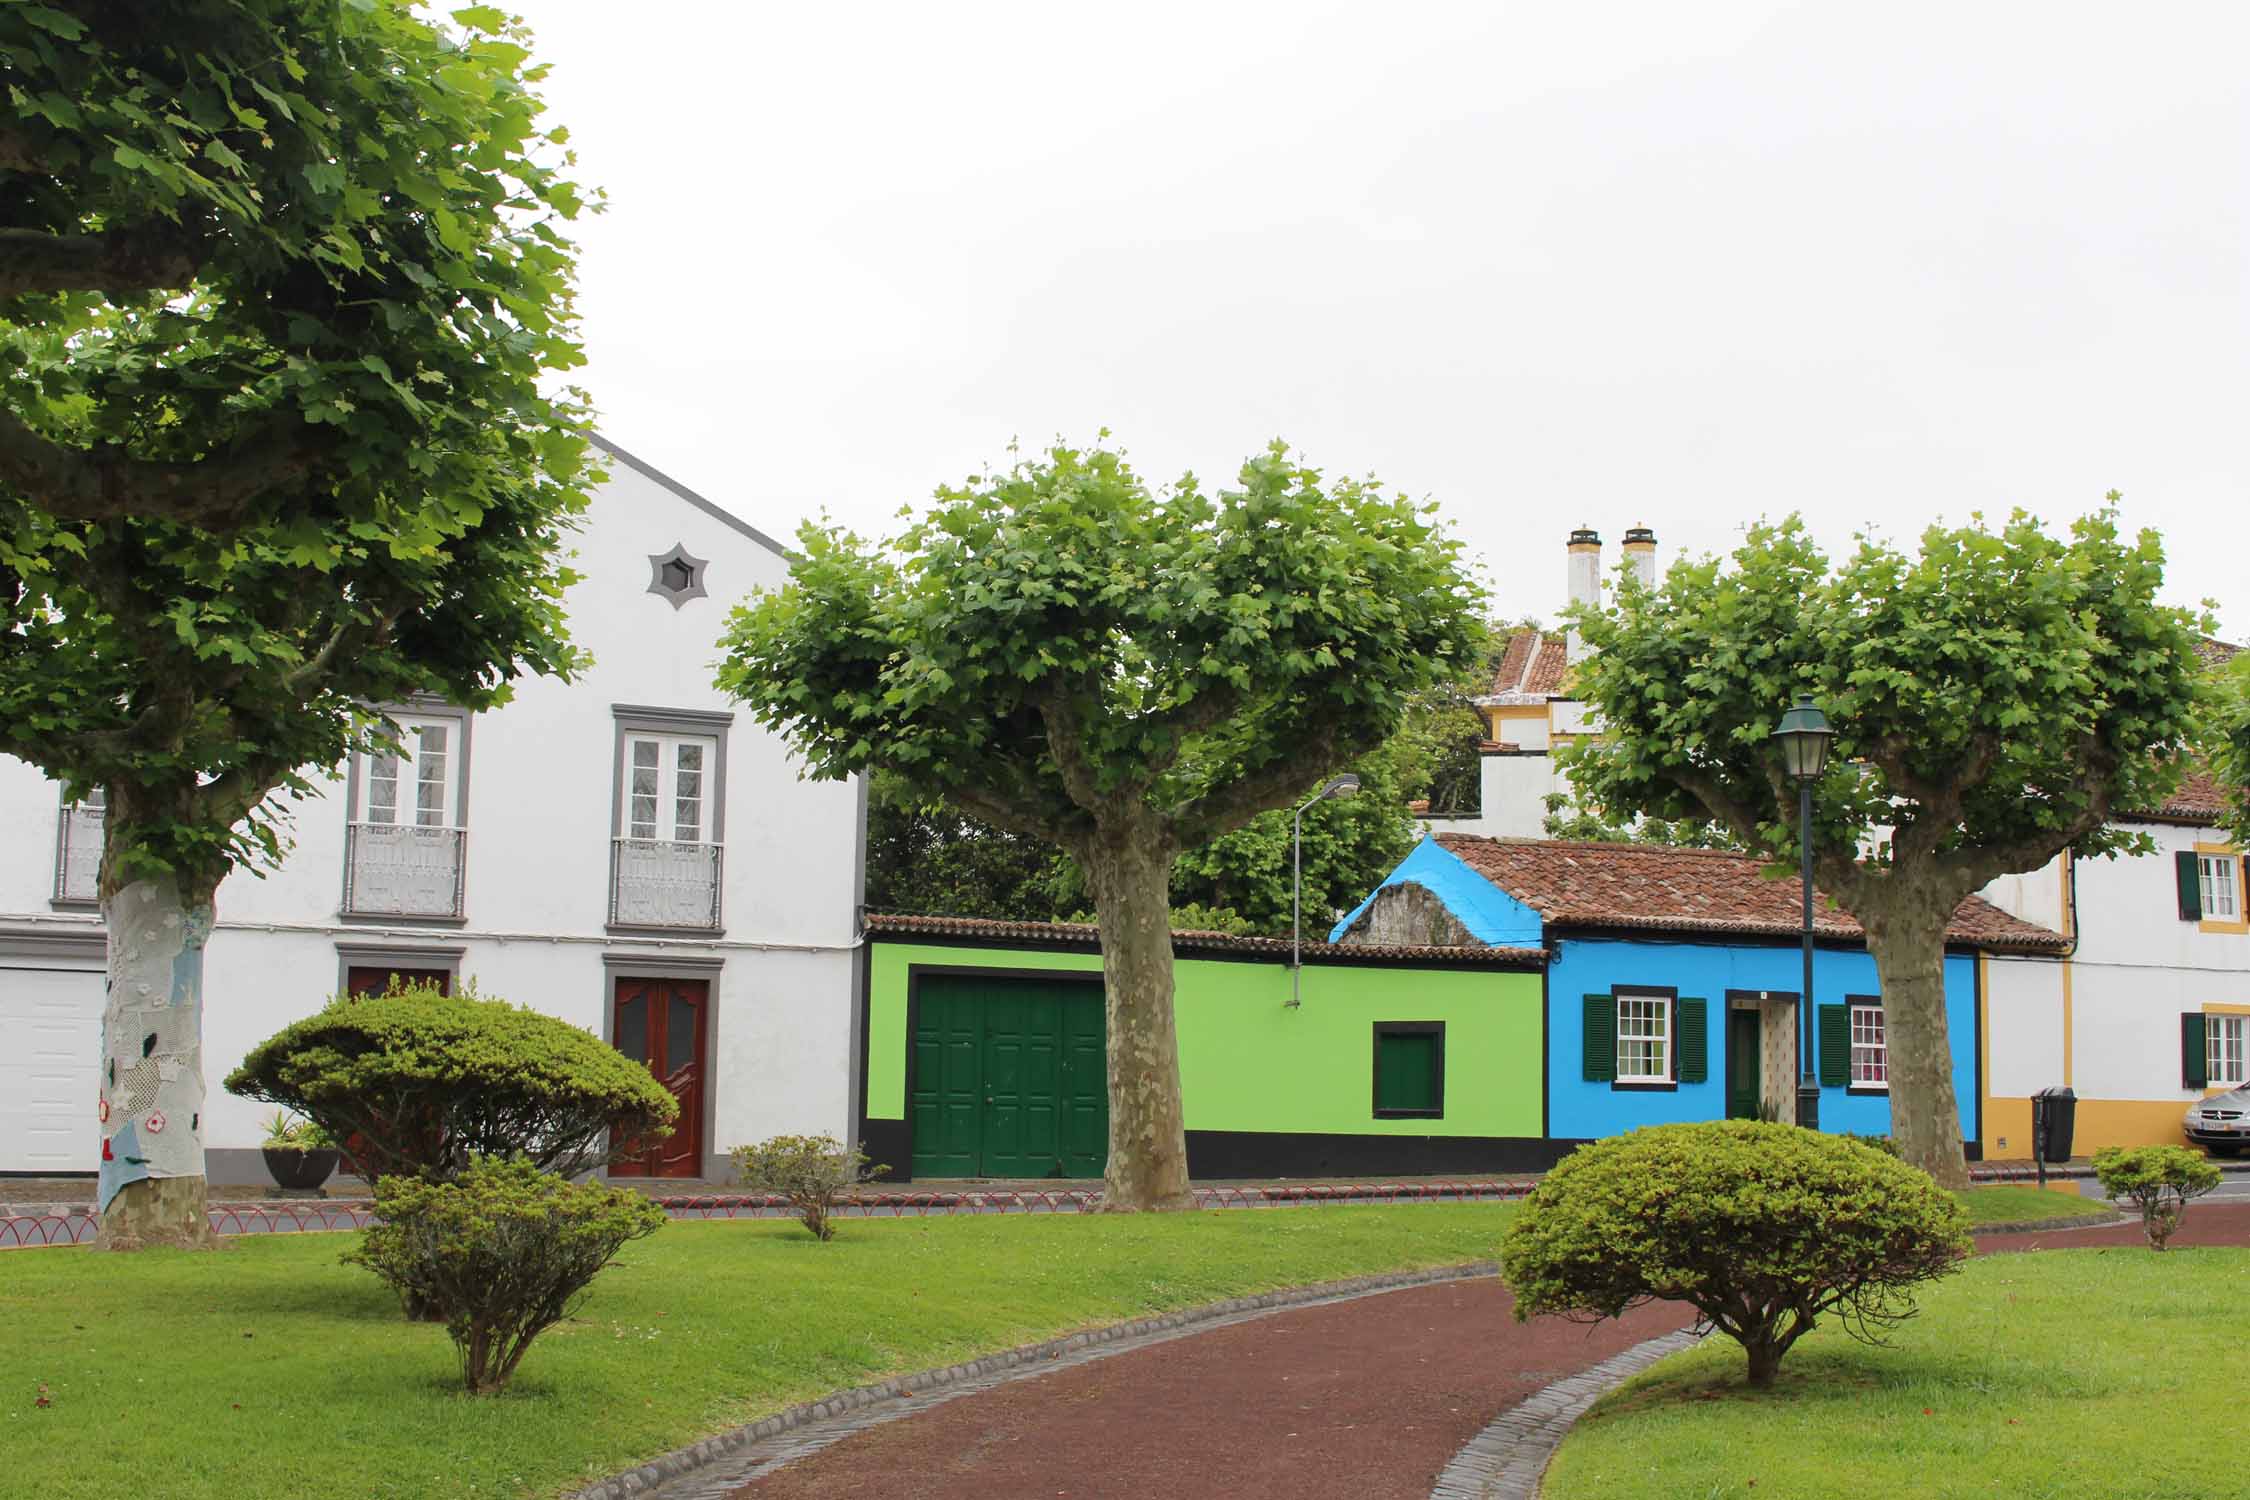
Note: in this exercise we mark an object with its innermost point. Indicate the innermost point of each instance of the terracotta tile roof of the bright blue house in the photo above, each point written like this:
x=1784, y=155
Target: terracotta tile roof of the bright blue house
x=1650, y=887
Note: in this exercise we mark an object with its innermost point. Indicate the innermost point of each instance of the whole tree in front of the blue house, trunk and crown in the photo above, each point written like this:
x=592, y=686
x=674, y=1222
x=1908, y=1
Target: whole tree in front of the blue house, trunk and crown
x=1995, y=696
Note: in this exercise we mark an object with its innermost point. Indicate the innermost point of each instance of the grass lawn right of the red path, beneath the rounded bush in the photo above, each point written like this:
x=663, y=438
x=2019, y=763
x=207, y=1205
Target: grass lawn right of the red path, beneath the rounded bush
x=2055, y=1375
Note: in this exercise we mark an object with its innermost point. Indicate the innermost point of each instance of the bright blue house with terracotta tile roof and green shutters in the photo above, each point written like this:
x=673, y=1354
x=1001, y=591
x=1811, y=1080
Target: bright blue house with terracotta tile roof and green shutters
x=1675, y=975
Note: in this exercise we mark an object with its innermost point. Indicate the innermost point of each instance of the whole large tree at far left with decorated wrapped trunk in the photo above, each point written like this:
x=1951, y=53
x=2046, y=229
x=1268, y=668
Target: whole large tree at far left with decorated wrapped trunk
x=280, y=287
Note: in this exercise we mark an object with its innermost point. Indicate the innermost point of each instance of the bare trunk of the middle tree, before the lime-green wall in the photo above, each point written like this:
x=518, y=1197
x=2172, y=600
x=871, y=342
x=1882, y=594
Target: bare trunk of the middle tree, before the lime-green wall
x=1131, y=871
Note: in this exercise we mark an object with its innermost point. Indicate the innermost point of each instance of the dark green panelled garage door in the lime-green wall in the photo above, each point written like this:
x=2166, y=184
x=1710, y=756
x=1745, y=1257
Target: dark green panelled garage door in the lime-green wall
x=1009, y=1078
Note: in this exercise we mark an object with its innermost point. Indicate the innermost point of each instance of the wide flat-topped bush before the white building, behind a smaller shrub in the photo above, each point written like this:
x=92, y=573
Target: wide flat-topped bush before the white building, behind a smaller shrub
x=417, y=1083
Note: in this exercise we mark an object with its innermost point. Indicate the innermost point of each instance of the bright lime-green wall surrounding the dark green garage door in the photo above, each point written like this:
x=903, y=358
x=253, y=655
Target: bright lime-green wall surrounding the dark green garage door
x=1248, y=1063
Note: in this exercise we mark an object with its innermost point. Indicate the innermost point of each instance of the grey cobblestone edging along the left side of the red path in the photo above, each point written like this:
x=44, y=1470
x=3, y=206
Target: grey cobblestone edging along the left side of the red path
x=723, y=1463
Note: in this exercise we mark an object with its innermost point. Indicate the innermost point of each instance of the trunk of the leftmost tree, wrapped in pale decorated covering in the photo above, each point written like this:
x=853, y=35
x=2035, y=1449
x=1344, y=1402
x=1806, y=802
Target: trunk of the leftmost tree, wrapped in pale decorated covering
x=152, y=1186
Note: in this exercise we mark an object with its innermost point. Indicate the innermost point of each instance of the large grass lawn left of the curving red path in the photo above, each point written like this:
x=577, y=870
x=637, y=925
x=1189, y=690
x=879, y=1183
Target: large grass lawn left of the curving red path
x=273, y=1371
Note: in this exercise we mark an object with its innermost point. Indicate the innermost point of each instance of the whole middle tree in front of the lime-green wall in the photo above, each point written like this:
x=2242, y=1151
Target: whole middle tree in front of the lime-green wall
x=1068, y=656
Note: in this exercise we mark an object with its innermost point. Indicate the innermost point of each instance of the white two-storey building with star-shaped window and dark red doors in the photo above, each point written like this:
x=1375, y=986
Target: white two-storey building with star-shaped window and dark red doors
x=627, y=851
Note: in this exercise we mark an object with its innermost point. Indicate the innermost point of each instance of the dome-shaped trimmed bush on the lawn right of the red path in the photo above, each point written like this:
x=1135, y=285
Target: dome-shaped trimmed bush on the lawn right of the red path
x=1763, y=1229
